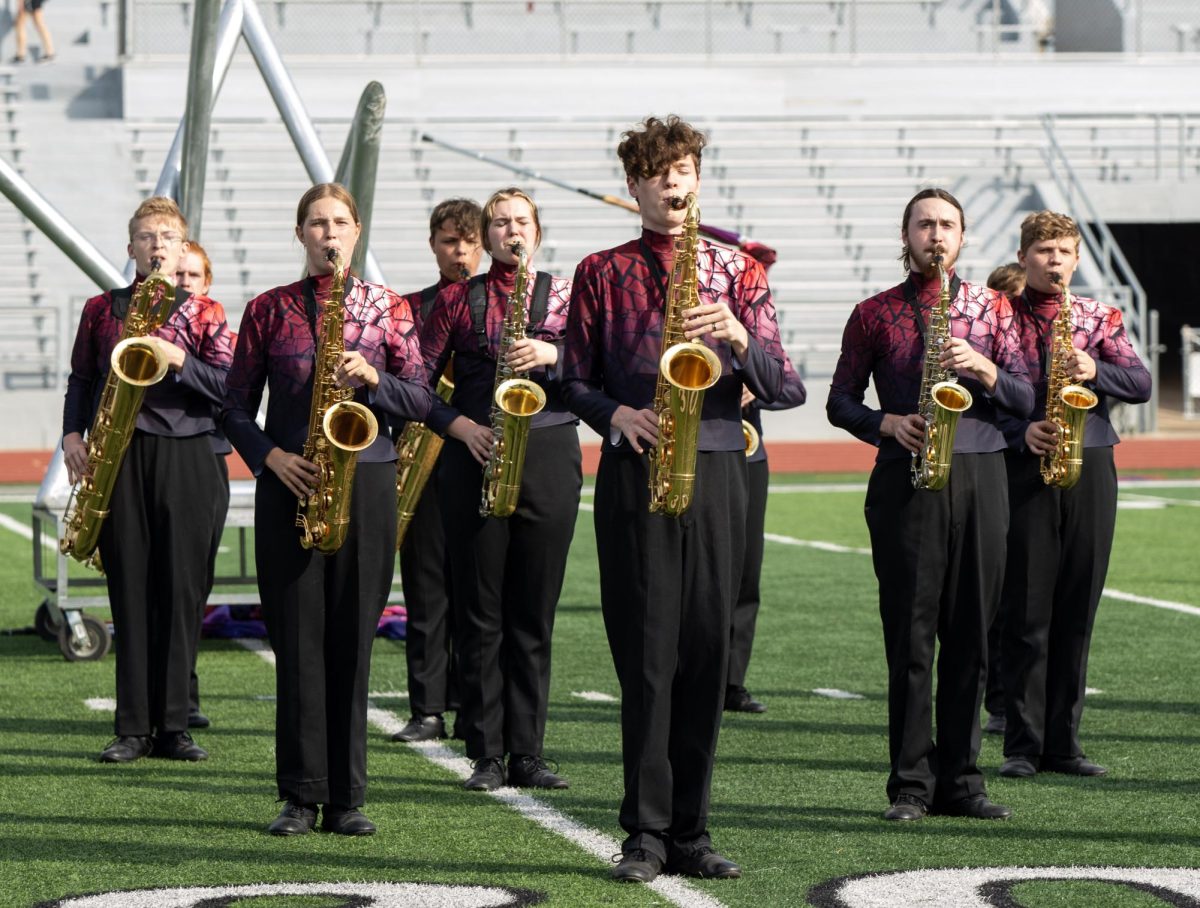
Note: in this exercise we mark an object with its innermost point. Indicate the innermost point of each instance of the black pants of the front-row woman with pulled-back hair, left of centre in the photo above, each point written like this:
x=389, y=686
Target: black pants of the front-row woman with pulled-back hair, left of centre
x=322, y=614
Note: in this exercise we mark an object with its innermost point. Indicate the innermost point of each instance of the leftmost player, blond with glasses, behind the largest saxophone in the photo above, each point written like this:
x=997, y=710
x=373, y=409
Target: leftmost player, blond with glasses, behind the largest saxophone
x=169, y=470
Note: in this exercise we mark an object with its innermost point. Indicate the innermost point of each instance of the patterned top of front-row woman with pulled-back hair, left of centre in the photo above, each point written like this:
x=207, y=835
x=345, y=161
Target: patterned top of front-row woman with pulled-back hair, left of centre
x=278, y=348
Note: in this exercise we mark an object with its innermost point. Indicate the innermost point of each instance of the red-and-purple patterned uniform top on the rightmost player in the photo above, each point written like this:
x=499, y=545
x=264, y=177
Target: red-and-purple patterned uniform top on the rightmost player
x=1099, y=330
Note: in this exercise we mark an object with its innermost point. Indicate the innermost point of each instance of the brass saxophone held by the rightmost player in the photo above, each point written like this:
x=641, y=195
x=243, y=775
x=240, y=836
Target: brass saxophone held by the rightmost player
x=1067, y=404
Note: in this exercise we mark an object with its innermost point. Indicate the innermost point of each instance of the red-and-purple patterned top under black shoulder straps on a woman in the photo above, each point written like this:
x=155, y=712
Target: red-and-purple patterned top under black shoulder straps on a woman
x=451, y=330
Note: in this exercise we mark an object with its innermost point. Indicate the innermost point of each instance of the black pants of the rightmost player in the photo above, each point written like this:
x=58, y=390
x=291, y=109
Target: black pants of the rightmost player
x=1059, y=545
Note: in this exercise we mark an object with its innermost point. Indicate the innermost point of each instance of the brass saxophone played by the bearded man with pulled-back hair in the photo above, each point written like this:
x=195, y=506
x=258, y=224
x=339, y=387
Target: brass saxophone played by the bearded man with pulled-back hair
x=943, y=399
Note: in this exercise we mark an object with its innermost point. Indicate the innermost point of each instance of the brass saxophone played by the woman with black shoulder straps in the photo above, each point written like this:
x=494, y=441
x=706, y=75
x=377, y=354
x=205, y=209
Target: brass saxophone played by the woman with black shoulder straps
x=515, y=401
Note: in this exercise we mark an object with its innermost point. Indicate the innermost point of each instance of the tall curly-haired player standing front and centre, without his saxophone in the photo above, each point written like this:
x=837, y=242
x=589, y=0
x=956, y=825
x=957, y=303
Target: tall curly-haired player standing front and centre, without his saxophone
x=668, y=584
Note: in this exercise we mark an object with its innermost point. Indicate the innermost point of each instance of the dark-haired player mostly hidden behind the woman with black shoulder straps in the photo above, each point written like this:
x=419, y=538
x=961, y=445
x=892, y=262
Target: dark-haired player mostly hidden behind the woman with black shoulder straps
x=424, y=562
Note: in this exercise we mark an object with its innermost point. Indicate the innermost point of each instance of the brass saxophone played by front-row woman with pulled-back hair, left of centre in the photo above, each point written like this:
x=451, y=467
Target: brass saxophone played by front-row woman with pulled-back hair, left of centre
x=338, y=430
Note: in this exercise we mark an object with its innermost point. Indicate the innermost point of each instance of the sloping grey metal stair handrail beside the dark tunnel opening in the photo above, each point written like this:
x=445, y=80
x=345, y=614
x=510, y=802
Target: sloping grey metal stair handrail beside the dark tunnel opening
x=1106, y=251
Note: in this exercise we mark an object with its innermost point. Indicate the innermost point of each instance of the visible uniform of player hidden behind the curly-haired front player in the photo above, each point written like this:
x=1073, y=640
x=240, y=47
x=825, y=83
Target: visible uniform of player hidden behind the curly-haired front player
x=746, y=606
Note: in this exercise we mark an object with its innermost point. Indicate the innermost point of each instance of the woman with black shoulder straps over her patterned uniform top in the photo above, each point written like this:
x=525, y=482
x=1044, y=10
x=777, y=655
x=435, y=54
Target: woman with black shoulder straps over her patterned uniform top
x=508, y=574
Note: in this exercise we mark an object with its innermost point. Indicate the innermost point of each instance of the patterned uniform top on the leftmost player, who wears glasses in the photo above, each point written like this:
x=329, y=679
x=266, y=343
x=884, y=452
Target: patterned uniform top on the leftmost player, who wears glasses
x=185, y=402
